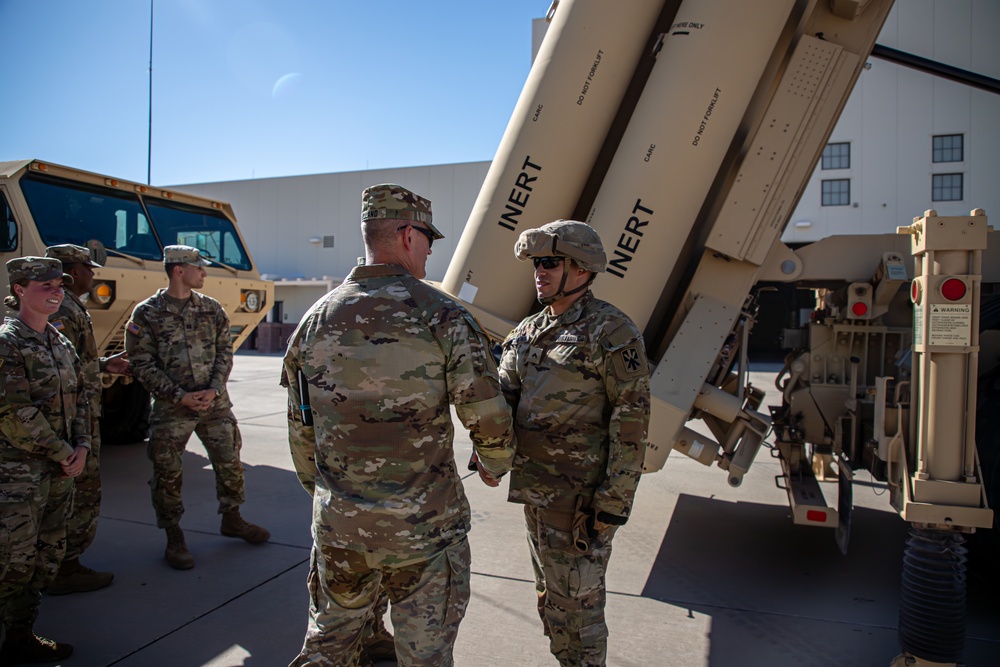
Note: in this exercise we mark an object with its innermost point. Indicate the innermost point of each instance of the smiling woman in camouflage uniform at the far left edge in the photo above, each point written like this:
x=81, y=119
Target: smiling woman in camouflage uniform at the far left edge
x=44, y=442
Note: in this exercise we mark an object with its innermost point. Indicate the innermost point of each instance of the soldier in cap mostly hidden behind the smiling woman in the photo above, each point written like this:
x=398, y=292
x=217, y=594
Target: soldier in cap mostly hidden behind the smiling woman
x=73, y=321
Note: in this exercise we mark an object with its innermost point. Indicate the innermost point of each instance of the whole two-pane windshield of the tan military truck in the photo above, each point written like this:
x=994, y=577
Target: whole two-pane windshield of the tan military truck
x=70, y=212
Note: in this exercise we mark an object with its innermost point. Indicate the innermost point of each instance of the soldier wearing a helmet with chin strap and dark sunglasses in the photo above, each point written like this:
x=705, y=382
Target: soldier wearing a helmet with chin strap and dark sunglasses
x=577, y=376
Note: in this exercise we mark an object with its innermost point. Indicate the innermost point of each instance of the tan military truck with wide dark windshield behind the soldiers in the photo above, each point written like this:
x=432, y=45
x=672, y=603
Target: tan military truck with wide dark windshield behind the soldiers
x=126, y=225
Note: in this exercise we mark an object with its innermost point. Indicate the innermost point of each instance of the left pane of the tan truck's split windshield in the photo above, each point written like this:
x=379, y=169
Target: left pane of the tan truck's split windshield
x=70, y=212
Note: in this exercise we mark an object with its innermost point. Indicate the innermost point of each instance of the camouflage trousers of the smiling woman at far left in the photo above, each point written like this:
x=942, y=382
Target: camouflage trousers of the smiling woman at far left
x=34, y=501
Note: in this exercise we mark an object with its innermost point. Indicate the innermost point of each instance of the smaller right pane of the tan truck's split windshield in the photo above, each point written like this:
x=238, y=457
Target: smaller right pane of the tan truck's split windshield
x=209, y=231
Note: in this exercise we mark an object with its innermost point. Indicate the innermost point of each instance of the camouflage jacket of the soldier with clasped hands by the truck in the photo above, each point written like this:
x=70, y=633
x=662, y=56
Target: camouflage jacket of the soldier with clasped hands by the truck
x=173, y=353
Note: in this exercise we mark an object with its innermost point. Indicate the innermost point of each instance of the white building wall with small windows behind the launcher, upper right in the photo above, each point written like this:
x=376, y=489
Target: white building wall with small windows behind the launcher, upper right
x=893, y=114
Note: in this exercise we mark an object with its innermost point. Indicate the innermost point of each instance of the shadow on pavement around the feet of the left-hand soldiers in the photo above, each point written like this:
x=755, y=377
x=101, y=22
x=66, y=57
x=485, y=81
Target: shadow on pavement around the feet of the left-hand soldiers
x=241, y=604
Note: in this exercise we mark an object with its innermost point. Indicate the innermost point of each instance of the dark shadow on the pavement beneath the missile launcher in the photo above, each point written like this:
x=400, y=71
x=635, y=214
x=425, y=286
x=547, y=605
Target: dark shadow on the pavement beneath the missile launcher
x=782, y=594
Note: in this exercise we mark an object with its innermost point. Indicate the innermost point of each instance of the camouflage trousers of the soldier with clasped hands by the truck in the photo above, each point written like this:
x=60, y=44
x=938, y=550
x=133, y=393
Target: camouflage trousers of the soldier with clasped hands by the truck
x=170, y=428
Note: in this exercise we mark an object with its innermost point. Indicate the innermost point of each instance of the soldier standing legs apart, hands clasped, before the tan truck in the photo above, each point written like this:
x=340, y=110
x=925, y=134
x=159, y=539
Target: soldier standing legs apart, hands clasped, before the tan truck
x=179, y=347
